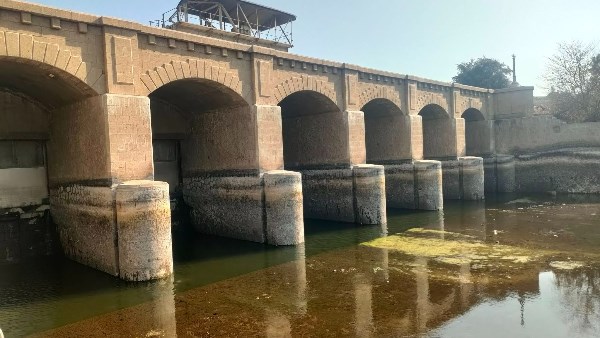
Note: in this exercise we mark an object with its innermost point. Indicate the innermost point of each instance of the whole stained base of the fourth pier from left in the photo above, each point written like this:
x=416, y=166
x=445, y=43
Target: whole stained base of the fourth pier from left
x=416, y=185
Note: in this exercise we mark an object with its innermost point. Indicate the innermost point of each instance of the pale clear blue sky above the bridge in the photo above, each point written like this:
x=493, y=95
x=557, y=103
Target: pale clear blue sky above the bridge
x=426, y=38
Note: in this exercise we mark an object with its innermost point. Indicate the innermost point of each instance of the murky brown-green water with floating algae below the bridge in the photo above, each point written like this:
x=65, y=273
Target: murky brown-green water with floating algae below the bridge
x=509, y=267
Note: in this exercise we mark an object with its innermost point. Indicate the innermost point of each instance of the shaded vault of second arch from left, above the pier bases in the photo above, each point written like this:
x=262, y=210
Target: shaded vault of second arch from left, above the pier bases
x=200, y=126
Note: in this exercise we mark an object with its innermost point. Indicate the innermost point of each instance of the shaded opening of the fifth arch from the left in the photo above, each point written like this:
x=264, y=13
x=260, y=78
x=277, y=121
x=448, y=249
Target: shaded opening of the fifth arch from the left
x=439, y=134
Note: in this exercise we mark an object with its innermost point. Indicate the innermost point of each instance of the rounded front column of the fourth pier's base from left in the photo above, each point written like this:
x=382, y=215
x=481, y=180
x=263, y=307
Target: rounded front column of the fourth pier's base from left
x=428, y=185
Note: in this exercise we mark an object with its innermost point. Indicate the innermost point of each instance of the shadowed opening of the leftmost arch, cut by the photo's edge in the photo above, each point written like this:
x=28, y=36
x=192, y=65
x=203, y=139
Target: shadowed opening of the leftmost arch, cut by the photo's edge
x=43, y=135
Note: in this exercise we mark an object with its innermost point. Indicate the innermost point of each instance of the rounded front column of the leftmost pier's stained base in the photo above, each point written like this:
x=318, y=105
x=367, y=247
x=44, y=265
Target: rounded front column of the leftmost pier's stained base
x=144, y=228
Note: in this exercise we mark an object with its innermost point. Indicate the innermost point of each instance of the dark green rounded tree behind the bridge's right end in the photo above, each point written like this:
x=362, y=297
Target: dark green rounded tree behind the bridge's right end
x=483, y=72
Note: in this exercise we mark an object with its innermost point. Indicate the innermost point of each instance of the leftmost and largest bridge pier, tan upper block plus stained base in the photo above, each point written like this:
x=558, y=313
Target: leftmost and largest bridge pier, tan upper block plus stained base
x=123, y=229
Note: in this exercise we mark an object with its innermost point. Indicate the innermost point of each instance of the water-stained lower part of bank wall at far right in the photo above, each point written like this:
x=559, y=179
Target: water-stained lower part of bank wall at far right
x=573, y=170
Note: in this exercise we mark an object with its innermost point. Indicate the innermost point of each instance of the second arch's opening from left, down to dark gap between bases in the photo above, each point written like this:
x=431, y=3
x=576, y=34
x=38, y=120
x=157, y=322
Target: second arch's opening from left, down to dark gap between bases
x=201, y=131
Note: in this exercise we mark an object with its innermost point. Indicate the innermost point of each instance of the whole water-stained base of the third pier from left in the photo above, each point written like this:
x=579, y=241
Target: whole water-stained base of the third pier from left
x=354, y=195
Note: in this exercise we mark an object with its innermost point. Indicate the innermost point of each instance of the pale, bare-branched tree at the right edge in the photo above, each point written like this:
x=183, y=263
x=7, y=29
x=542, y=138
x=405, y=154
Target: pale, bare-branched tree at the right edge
x=574, y=74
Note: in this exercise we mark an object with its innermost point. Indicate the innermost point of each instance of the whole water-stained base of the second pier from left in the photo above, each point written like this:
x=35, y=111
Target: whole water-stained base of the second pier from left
x=264, y=208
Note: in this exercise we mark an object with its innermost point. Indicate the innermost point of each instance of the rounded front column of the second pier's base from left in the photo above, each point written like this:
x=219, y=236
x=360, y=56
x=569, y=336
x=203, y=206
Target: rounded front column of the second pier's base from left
x=283, y=208
